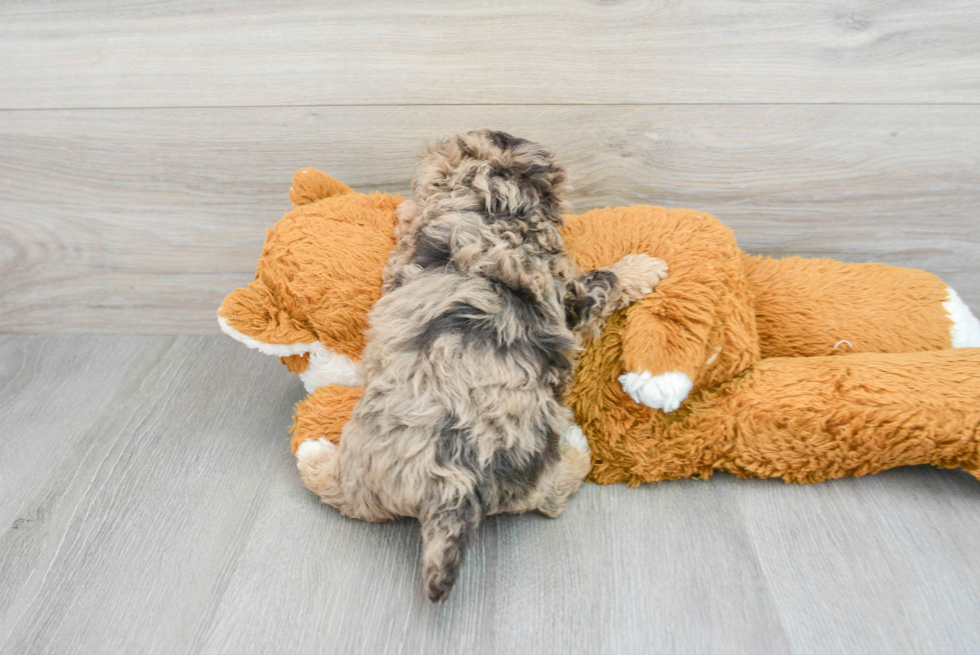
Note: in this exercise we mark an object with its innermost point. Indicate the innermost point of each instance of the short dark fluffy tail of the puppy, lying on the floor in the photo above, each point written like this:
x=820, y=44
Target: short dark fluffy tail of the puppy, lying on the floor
x=445, y=531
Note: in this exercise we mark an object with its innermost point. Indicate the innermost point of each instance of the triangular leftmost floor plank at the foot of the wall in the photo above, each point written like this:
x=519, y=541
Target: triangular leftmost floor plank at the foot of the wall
x=51, y=415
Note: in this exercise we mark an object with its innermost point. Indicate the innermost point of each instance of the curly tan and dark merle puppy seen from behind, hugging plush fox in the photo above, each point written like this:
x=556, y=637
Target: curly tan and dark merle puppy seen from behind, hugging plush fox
x=470, y=350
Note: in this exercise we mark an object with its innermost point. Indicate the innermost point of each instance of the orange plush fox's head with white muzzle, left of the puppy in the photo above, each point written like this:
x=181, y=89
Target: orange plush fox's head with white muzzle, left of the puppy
x=317, y=278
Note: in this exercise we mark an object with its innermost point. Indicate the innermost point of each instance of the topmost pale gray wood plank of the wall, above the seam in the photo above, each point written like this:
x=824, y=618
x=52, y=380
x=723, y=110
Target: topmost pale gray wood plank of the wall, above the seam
x=137, y=54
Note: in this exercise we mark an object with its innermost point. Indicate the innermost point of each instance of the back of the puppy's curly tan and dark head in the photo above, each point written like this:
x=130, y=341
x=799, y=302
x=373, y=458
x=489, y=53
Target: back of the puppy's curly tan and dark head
x=493, y=171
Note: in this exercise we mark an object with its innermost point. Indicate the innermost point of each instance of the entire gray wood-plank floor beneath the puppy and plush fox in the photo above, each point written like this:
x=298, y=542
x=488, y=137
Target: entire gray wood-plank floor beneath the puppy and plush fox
x=151, y=505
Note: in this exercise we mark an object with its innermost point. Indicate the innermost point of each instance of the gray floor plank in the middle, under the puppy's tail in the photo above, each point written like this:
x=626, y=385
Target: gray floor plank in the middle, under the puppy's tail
x=661, y=569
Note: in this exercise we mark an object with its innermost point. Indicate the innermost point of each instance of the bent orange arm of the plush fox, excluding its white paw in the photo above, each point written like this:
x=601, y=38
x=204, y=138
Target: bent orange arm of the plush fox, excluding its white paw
x=703, y=308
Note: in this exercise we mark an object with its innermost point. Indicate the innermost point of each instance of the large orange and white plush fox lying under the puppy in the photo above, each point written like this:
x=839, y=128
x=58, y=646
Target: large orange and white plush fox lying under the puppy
x=798, y=369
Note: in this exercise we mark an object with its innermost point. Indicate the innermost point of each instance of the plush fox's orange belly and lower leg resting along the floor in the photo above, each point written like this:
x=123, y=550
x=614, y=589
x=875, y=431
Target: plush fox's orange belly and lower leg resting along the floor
x=802, y=420
